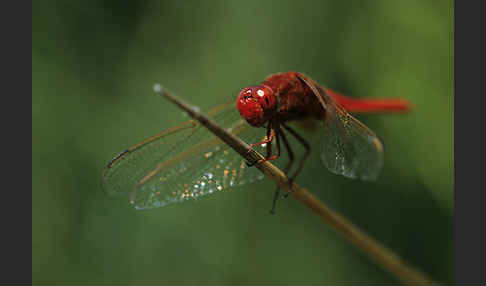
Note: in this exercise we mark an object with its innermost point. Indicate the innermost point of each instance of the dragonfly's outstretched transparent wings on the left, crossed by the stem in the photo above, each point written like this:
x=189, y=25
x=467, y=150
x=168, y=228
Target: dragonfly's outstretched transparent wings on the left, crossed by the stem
x=182, y=163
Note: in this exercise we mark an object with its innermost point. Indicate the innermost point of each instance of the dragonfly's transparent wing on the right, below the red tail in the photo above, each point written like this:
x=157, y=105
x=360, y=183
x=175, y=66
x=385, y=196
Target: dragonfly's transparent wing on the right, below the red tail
x=349, y=148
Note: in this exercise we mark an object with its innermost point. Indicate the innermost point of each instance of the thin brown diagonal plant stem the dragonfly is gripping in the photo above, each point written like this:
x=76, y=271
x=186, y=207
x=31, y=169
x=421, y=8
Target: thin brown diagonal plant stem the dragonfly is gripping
x=369, y=246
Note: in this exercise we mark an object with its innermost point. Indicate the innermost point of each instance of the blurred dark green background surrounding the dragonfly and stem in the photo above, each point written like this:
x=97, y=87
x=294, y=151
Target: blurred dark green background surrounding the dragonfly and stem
x=93, y=67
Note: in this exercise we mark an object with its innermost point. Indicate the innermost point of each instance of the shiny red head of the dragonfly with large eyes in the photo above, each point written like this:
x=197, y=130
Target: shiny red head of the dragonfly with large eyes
x=257, y=104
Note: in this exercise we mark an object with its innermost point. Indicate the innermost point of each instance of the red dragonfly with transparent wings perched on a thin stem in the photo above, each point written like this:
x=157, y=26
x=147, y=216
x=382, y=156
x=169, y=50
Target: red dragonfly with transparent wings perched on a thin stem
x=188, y=162
